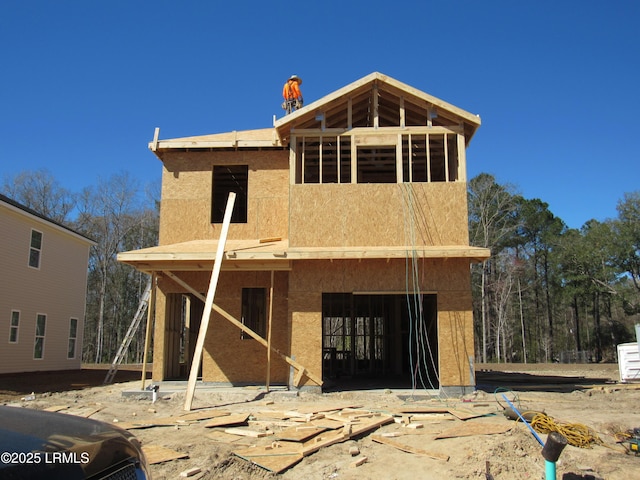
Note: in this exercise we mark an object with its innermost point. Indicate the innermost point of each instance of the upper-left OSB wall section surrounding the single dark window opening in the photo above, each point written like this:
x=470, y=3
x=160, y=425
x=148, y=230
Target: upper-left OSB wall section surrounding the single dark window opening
x=185, y=212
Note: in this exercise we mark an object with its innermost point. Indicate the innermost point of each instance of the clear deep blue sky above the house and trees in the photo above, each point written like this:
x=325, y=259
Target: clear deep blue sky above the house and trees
x=84, y=83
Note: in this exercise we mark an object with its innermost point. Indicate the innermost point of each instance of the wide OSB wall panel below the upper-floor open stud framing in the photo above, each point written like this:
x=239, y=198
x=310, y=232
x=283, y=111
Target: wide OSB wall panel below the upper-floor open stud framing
x=379, y=214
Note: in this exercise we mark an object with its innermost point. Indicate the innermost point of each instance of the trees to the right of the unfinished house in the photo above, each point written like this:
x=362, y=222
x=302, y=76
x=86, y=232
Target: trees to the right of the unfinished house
x=550, y=293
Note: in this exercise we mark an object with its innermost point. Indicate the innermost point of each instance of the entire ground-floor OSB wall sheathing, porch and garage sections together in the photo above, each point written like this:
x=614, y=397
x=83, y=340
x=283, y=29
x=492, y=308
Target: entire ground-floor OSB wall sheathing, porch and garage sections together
x=297, y=327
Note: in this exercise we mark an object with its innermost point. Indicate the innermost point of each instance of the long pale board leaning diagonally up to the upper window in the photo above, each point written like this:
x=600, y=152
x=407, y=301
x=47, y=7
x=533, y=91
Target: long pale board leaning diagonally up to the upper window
x=206, y=314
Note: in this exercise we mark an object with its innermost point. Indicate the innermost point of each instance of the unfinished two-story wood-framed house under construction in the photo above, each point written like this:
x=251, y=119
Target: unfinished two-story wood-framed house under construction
x=353, y=212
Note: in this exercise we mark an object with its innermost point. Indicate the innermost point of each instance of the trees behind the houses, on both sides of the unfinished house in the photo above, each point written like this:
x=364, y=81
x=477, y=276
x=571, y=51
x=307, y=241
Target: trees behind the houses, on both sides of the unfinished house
x=548, y=292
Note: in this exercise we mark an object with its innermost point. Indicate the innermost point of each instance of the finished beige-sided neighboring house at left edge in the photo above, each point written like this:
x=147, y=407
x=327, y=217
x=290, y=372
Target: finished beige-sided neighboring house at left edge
x=44, y=286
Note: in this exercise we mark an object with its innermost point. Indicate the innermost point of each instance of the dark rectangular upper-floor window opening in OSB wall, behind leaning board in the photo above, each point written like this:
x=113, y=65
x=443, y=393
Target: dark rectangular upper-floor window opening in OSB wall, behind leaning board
x=226, y=179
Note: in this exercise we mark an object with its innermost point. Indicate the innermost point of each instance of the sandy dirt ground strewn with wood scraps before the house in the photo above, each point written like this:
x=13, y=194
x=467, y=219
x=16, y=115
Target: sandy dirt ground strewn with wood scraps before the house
x=577, y=394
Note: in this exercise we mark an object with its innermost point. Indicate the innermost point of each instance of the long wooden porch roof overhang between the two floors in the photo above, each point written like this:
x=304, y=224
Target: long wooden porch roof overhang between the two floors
x=252, y=255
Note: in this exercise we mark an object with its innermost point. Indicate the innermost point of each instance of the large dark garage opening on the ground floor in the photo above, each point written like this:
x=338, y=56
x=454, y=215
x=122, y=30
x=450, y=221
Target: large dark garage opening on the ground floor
x=385, y=339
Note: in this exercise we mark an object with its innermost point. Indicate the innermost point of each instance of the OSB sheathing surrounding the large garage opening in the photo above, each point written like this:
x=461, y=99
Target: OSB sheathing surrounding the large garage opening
x=449, y=279
